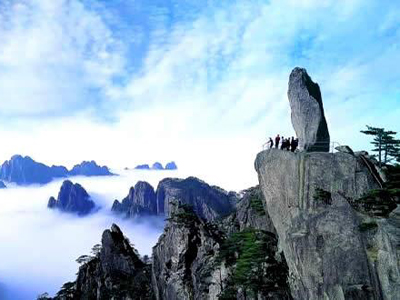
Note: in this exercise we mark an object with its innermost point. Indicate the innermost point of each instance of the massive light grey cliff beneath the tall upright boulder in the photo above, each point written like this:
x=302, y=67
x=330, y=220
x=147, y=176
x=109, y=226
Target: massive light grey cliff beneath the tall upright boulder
x=333, y=251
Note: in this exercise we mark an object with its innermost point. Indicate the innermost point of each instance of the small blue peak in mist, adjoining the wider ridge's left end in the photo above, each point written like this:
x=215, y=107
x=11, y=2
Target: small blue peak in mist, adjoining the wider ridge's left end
x=141, y=201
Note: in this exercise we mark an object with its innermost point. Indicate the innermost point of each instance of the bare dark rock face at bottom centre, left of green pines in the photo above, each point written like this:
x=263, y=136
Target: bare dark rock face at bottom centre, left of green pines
x=183, y=258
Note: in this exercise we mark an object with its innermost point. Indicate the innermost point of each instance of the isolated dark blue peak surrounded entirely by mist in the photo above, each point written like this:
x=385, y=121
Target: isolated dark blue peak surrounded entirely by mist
x=72, y=198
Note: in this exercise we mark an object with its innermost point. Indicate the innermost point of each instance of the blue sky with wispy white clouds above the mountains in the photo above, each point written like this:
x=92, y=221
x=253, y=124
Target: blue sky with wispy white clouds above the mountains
x=175, y=79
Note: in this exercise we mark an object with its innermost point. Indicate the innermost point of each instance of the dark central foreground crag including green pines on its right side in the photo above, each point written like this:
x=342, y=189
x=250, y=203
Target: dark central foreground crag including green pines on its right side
x=194, y=259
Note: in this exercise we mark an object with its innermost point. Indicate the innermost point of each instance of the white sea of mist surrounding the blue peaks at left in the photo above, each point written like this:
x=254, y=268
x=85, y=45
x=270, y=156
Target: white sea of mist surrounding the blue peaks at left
x=39, y=246
